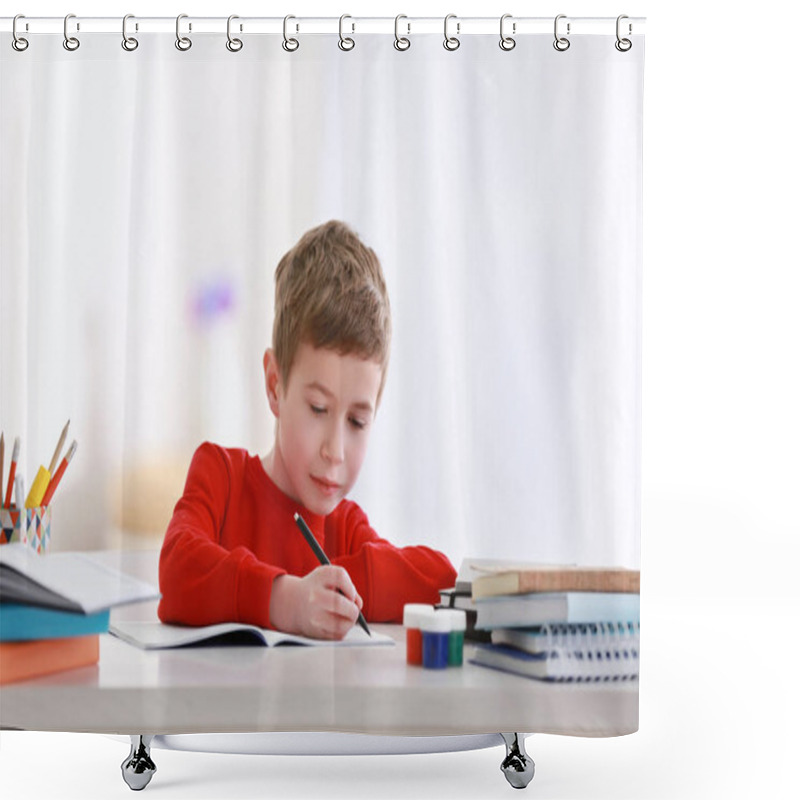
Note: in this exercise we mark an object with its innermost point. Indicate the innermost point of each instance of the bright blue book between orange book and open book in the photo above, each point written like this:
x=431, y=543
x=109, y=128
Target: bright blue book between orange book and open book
x=19, y=623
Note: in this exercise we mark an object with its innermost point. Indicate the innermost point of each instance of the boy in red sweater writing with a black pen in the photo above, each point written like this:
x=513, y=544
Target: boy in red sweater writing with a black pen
x=232, y=551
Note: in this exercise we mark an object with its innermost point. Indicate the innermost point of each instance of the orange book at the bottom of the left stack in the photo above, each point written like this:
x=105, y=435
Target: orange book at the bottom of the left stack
x=20, y=661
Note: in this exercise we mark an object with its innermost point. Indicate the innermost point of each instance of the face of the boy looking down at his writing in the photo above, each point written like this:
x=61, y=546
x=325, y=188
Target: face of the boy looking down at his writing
x=324, y=416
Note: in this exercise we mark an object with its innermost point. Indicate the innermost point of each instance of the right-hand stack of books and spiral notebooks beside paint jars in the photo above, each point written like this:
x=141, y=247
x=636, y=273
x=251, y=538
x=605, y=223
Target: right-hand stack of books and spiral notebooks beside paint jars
x=559, y=623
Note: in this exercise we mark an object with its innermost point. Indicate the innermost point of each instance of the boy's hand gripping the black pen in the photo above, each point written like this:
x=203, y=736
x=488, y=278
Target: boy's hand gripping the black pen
x=322, y=605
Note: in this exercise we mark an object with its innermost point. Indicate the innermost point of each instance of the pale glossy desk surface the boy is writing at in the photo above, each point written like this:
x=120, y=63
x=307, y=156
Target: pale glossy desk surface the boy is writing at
x=252, y=688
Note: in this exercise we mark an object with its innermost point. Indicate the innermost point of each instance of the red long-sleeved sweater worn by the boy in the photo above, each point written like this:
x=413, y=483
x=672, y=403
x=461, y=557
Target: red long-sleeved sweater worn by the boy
x=233, y=532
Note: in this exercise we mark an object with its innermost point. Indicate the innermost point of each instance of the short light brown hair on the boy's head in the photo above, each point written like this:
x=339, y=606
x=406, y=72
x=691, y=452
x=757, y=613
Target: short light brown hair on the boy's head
x=330, y=293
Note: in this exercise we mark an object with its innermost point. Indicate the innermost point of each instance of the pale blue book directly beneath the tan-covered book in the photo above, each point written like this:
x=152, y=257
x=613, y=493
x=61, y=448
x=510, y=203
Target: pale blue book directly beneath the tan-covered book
x=541, y=608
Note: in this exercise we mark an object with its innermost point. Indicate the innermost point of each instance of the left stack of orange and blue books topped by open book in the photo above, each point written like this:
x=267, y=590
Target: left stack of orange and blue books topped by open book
x=54, y=607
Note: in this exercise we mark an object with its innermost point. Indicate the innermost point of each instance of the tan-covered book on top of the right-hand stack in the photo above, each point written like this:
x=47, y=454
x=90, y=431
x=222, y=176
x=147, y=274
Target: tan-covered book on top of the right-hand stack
x=554, y=578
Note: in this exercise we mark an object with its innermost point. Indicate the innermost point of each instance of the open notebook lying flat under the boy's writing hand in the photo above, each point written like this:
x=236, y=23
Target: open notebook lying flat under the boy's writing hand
x=159, y=636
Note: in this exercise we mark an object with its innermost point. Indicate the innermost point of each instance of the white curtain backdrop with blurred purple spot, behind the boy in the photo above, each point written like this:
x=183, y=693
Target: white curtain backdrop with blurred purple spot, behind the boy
x=147, y=198
